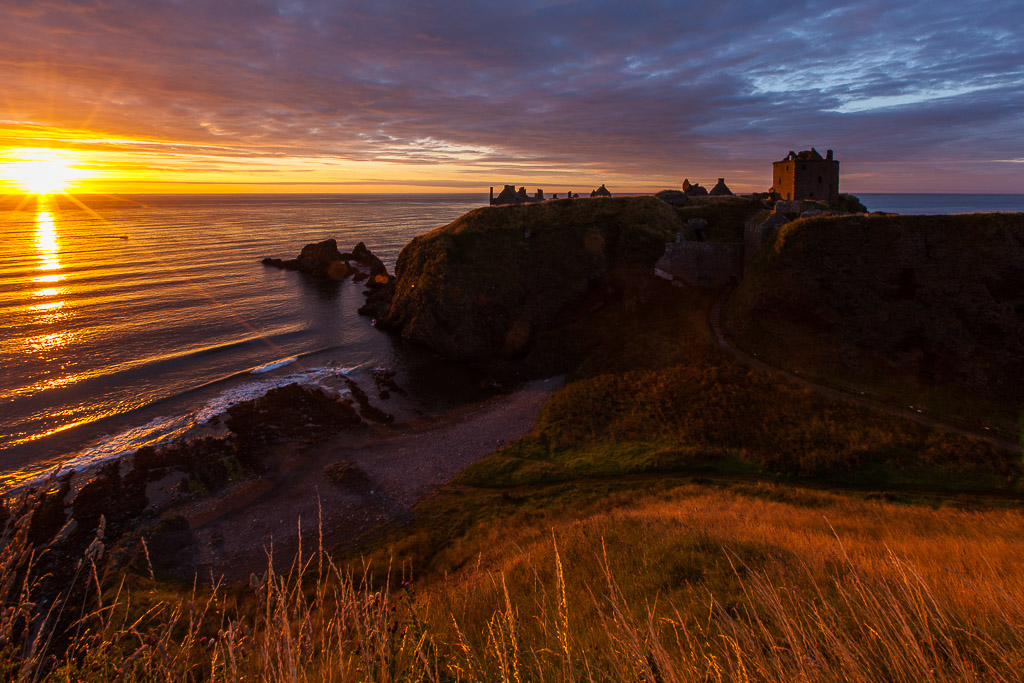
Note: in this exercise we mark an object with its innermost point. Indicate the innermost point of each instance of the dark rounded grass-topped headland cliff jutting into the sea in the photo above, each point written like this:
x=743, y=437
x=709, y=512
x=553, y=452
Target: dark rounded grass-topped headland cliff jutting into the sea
x=482, y=286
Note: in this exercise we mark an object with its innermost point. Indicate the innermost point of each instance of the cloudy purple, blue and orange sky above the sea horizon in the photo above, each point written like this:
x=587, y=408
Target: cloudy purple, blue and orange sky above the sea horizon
x=389, y=96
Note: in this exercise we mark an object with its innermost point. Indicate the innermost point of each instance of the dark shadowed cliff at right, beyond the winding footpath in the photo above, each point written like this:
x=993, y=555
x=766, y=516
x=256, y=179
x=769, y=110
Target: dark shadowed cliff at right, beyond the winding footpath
x=927, y=301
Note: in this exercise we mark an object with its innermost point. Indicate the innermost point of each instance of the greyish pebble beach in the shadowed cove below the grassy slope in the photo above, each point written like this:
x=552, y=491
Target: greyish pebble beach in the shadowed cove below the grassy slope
x=233, y=533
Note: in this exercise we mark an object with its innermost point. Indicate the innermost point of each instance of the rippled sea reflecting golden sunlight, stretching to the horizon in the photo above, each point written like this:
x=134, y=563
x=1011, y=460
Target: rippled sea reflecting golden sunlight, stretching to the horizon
x=135, y=321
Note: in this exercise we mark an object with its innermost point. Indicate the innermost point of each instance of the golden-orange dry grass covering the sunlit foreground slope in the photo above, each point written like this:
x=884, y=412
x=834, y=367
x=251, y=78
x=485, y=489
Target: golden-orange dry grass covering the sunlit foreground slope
x=687, y=585
